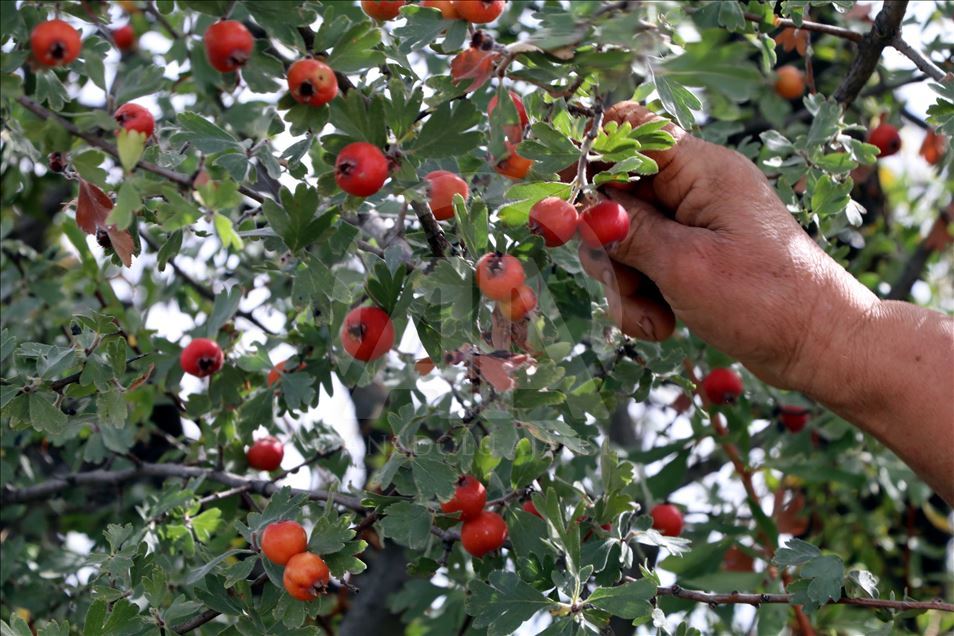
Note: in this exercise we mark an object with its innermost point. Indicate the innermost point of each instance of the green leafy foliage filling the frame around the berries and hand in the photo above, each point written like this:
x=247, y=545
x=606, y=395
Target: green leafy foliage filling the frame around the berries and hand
x=228, y=224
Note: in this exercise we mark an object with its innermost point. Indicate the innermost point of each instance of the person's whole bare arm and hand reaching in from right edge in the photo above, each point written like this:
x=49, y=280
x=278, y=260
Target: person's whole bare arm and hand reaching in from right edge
x=721, y=253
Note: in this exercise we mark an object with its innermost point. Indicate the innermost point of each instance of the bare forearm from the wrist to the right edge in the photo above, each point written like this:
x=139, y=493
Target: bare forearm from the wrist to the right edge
x=889, y=369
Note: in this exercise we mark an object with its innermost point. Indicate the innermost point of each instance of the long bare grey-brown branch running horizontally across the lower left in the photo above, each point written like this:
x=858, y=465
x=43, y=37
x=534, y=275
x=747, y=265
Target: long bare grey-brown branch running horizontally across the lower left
x=103, y=478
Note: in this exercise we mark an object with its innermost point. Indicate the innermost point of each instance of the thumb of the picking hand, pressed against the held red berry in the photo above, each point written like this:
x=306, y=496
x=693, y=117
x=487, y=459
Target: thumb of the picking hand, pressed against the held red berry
x=654, y=240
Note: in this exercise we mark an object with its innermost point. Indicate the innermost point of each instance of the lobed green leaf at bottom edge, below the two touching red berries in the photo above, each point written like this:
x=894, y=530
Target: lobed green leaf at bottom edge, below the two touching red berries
x=504, y=604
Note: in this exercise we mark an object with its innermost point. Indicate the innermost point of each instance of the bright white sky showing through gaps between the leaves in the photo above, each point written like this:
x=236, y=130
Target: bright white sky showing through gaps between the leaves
x=169, y=322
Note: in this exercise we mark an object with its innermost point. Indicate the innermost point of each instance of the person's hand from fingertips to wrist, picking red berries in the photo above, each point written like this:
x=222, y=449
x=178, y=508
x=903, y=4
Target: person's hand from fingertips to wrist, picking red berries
x=725, y=256
